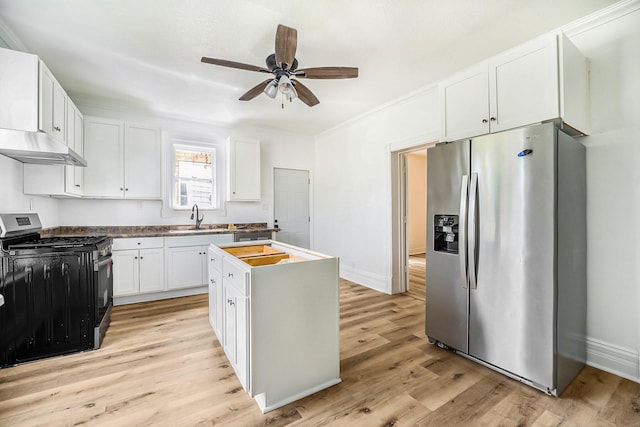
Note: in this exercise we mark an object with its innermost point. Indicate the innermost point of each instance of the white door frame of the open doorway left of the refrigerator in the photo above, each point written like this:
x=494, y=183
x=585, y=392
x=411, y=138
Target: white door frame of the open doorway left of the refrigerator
x=399, y=223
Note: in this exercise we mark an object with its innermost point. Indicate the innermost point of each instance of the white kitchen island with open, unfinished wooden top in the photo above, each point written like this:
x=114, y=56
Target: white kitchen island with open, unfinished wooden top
x=275, y=310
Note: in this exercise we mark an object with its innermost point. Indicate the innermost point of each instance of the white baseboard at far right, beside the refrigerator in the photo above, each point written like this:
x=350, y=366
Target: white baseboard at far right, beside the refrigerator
x=614, y=359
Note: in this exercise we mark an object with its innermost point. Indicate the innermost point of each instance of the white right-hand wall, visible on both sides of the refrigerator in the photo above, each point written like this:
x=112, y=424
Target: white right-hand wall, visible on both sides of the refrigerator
x=352, y=196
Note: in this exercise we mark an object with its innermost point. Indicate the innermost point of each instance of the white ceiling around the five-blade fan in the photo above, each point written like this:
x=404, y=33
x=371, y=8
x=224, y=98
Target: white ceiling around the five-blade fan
x=146, y=53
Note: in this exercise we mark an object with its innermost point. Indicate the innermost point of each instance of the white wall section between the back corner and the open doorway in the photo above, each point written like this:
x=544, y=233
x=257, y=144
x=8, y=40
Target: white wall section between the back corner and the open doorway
x=352, y=193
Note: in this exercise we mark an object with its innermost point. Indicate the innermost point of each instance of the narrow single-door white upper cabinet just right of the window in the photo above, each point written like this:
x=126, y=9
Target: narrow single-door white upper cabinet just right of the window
x=243, y=168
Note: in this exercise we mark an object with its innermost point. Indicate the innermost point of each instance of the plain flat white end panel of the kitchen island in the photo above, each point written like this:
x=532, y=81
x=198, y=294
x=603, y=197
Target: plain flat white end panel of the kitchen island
x=295, y=336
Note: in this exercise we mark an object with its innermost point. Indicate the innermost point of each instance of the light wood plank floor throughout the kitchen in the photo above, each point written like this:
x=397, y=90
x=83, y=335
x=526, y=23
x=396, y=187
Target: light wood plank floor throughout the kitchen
x=161, y=365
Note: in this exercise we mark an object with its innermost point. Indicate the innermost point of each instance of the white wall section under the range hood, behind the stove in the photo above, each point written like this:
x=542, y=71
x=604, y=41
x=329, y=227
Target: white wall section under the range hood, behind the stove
x=12, y=199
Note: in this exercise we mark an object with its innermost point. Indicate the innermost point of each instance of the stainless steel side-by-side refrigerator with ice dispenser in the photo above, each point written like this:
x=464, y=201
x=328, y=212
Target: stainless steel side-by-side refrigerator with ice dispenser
x=506, y=253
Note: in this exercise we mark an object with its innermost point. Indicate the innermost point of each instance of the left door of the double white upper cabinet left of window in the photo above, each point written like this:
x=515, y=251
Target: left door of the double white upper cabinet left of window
x=103, y=151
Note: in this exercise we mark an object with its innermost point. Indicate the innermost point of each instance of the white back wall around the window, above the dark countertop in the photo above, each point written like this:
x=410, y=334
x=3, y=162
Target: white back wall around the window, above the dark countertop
x=278, y=149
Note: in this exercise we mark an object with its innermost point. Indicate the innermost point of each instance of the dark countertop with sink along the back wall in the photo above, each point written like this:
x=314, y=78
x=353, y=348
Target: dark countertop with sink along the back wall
x=154, y=230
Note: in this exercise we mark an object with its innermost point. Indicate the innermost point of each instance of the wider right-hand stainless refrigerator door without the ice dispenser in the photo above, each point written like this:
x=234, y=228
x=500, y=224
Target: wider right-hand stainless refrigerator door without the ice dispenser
x=512, y=311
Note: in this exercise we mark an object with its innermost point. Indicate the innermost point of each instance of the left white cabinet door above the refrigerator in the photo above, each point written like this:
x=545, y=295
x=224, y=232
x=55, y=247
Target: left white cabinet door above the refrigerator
x=464, y=104
